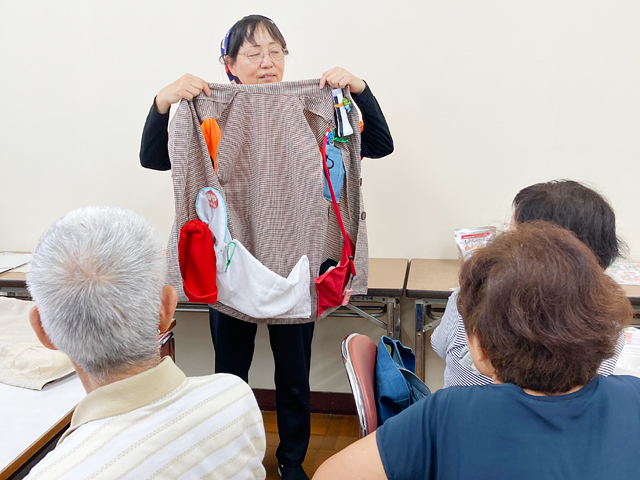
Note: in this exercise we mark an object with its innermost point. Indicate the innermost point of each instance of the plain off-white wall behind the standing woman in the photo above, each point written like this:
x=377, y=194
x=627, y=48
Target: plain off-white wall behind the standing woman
x=483, y=98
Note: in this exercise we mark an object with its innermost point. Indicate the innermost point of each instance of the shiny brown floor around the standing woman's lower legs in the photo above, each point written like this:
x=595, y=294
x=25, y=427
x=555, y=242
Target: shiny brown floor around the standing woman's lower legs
x=329, y=434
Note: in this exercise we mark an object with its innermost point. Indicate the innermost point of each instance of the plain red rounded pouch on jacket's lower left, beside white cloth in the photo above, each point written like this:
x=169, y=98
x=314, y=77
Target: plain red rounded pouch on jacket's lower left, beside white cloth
x=197, y=262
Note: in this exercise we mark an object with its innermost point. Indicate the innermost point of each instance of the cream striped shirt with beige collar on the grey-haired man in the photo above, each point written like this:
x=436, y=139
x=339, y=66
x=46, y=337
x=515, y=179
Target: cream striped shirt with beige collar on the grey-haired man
x=161, y=425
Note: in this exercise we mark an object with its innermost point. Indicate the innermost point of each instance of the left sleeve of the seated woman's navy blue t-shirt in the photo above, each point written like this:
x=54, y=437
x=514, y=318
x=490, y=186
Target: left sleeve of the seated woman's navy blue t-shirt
x=405, y=442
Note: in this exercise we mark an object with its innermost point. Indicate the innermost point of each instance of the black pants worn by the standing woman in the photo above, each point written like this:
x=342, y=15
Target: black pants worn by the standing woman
x=234, y=341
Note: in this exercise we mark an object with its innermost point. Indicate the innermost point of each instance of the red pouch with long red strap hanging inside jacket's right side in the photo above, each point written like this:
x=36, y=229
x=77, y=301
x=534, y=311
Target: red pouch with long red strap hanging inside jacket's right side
x=331, y=285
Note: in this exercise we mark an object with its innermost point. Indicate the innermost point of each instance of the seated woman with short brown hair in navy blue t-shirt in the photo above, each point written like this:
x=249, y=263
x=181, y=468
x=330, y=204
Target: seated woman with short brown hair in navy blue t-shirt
x=541, y=316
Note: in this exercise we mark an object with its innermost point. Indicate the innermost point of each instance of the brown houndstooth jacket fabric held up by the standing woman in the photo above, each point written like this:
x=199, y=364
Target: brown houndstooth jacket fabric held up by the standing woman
x=269, y=170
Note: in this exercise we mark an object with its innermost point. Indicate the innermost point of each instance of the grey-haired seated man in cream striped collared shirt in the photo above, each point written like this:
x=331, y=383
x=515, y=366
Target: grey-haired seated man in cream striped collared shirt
x=97, y=279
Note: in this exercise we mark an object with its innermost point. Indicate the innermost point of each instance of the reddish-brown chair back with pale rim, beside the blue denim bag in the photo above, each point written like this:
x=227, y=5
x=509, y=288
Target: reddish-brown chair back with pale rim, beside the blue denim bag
x=359, y=357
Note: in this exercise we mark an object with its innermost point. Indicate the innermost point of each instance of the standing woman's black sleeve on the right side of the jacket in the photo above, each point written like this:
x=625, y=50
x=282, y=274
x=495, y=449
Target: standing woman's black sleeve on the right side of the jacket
x=376, y=137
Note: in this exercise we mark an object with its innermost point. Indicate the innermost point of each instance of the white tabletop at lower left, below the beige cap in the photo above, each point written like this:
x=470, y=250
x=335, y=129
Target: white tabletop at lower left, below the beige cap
x=28, y=414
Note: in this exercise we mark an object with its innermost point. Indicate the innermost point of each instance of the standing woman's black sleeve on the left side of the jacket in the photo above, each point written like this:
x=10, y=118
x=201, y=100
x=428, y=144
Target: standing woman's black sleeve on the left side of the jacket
x=154, y=150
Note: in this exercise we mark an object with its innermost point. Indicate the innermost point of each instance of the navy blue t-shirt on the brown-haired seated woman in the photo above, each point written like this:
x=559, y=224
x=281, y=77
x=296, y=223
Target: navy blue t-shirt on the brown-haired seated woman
x=500, y=432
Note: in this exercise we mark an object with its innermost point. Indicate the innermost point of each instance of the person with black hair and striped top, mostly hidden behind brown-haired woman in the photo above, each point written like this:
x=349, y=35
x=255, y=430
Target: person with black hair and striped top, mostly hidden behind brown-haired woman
x=566, y=203
